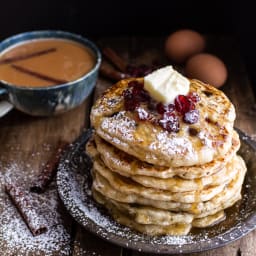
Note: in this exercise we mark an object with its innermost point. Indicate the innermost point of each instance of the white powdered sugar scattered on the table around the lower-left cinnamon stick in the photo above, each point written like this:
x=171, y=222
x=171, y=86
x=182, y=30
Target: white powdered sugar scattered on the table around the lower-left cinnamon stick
x=15, y=237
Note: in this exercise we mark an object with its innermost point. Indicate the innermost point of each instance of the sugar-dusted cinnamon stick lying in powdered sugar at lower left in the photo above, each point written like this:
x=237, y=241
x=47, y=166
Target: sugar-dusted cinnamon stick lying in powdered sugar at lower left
x=24, y=204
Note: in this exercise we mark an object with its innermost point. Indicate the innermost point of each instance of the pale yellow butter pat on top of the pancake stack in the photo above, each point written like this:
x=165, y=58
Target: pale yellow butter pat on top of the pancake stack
x=165, y=84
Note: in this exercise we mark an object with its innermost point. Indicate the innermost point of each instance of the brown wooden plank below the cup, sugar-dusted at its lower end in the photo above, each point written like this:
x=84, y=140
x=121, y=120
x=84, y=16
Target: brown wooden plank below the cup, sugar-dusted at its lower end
x=26, y=144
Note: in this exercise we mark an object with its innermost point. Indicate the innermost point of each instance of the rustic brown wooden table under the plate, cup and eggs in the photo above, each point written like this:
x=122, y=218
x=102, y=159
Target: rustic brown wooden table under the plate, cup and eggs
x=27, y=142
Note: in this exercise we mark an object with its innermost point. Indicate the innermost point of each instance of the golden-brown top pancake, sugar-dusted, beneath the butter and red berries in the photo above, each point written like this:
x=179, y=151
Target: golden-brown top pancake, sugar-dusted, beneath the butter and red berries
x=151, y=143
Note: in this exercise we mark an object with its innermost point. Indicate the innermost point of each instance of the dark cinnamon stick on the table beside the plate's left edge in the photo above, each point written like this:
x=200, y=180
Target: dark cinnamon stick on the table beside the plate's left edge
x=49, y=170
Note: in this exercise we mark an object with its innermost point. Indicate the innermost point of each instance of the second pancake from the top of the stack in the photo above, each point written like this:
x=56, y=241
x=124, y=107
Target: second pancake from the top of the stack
x=127, y=165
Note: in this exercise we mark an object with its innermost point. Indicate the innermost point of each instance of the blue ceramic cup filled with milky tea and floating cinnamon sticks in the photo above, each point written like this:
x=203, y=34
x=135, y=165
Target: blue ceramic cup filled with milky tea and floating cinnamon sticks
x=45, y=73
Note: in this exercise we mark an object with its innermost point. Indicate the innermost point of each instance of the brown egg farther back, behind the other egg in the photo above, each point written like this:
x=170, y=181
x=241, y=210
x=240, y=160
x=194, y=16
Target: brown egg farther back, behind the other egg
x=182, y=44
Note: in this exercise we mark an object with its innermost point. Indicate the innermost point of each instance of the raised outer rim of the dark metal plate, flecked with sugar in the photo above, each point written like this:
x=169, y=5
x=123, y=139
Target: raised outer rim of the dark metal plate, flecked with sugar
x=246, y=226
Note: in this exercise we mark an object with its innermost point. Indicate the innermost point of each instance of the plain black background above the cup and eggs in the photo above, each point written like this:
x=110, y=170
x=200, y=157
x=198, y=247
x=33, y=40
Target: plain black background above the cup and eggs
x=96, y=18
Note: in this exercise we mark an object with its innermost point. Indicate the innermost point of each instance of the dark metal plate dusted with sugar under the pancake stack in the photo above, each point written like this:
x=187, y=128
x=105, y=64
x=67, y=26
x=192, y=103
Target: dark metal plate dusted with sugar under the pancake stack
x=74, y=183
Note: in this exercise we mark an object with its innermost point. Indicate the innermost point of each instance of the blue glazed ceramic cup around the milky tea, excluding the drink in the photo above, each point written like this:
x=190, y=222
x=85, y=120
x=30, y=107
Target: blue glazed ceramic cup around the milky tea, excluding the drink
x=45, y=101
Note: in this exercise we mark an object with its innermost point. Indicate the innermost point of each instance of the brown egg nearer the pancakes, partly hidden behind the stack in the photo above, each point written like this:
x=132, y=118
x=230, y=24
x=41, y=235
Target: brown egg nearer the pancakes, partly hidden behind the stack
x=207, y=68
